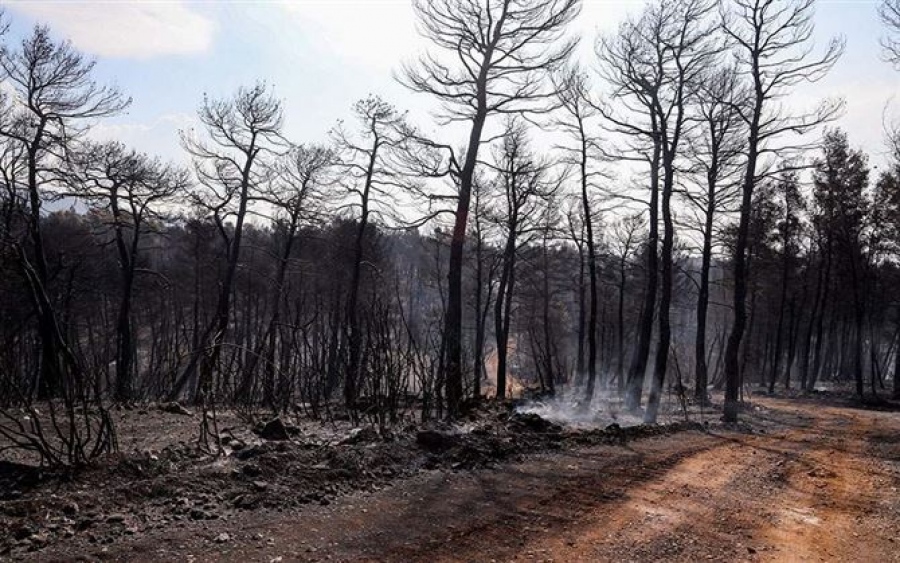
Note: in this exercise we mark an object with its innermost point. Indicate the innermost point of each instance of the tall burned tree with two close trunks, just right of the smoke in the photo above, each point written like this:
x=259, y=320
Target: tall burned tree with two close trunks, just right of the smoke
x=652, y=65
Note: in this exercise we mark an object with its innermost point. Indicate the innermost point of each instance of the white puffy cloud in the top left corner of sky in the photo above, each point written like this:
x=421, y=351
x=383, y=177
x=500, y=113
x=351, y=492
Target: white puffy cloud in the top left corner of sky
x=124, y=29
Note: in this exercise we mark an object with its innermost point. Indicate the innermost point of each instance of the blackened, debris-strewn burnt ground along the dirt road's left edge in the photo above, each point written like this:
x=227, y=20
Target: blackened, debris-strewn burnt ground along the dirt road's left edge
x=162, y=479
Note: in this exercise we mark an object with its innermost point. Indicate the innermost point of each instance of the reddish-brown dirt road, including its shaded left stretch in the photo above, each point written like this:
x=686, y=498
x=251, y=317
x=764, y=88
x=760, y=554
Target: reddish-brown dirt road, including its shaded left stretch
x=806, y=482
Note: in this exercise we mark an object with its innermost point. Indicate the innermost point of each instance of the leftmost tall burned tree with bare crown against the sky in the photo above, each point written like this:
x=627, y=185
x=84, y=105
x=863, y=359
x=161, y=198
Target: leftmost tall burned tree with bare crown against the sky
x=55, y=100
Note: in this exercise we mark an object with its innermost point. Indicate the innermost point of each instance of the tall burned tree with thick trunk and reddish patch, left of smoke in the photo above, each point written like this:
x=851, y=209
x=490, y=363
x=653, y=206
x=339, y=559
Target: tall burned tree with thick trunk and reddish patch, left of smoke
x=492, y=59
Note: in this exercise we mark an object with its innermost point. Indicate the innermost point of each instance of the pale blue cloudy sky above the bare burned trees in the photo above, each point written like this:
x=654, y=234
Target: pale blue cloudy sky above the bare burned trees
x=320, y=56
